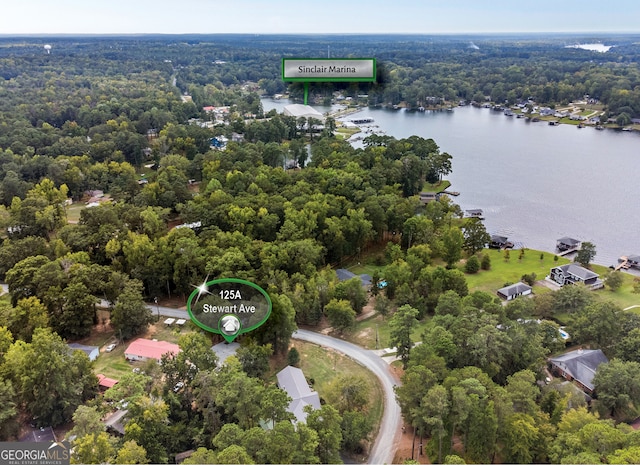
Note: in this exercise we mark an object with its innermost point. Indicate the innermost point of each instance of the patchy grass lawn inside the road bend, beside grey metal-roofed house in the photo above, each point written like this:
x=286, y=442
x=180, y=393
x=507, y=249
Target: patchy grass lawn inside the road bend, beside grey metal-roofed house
x=323, y=365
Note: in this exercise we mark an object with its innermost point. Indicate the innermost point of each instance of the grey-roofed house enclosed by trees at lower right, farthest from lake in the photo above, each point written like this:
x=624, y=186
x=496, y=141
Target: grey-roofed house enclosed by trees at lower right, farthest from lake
x=579, y=366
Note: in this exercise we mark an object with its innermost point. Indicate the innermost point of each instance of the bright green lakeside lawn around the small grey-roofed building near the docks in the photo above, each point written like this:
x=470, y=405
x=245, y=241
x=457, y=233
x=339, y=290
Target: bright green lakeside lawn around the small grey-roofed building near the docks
x=511, y=271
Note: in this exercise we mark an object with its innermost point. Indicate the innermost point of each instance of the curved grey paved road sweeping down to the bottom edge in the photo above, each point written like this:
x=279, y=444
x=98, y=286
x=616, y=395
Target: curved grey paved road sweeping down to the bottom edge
x=383, y=450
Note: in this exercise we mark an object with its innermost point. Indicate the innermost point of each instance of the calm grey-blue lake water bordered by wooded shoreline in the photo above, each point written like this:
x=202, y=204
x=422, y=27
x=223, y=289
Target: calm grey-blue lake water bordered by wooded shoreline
x=534, y=182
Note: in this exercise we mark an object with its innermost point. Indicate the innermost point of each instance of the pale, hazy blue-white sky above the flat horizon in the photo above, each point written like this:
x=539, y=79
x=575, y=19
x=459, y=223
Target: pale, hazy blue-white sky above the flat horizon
x=321, y=16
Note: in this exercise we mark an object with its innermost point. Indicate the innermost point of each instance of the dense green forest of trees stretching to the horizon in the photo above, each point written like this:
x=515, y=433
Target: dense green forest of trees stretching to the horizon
x=110, y=115
